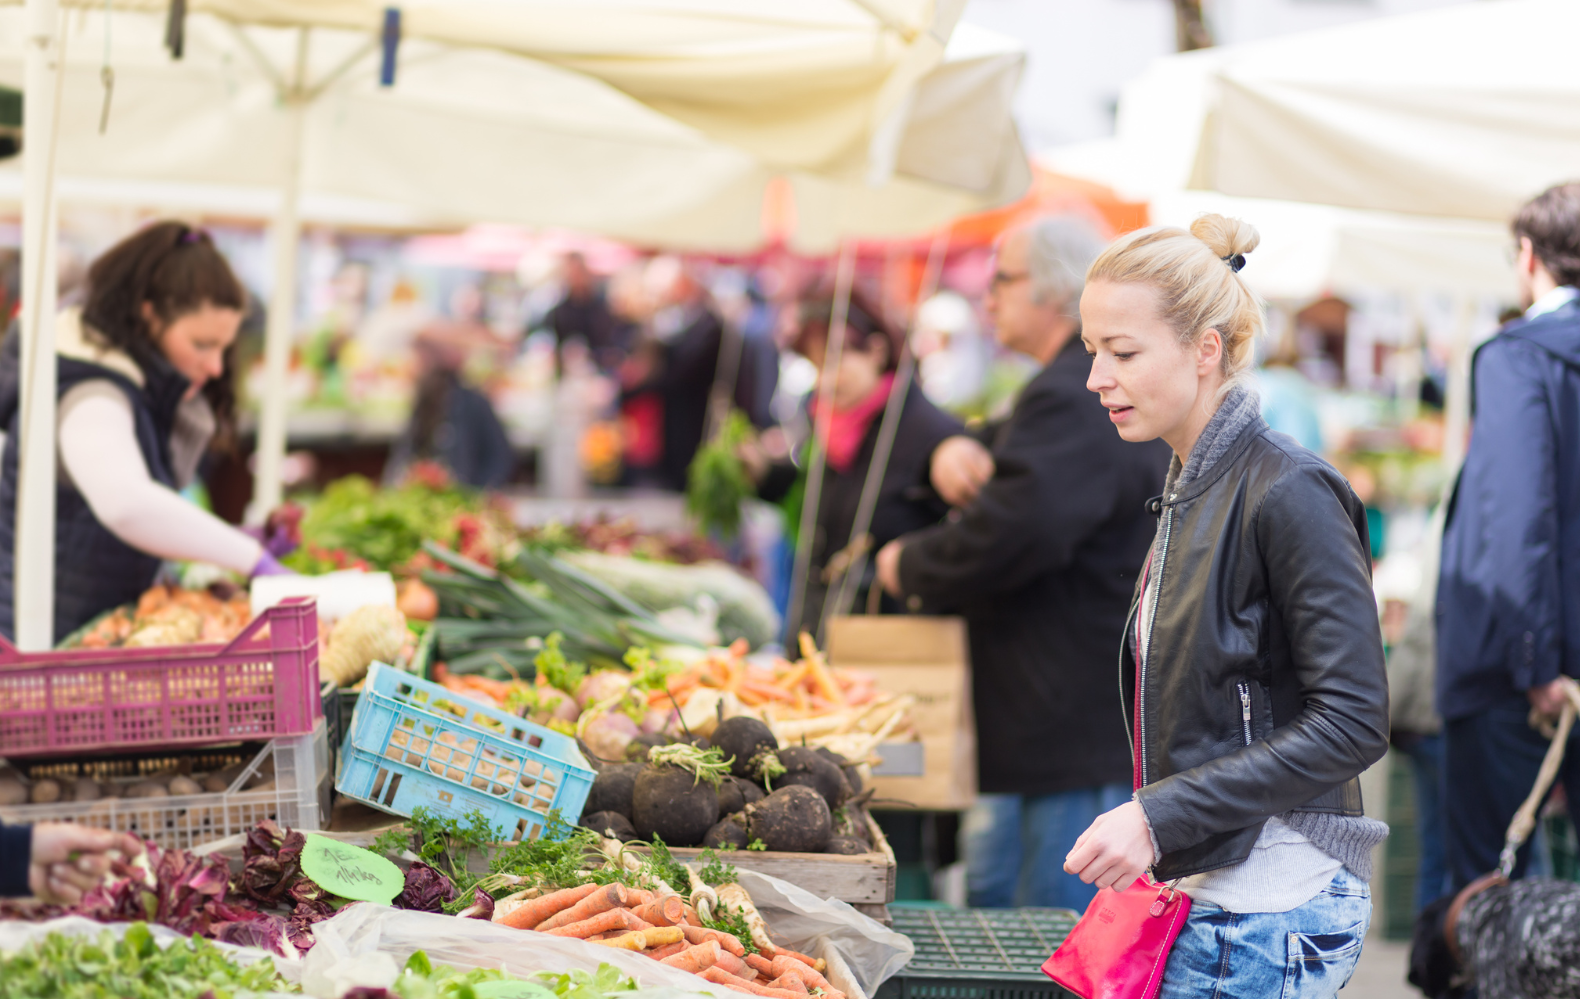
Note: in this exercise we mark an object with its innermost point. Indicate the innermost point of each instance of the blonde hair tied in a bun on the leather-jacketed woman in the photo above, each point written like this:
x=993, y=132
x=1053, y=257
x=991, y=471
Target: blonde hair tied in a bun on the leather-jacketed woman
x=1197, y=276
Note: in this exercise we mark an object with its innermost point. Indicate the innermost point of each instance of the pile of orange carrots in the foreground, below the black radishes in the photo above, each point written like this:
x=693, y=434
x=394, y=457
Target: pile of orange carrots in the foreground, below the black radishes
x=668, y=929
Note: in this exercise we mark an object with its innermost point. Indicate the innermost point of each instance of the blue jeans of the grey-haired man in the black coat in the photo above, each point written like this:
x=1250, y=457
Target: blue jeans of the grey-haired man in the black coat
x=1017, y=845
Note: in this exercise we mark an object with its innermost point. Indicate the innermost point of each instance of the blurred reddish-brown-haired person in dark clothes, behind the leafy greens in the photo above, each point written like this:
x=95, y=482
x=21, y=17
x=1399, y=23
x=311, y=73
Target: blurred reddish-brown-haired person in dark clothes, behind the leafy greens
x=453, y=424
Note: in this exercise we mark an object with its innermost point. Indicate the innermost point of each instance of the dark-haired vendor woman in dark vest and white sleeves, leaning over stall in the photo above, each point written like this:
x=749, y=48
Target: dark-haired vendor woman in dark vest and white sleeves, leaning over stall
x=143, y=393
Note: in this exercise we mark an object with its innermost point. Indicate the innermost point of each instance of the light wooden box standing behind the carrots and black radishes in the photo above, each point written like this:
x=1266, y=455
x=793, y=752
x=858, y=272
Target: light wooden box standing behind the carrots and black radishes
x=928, y=660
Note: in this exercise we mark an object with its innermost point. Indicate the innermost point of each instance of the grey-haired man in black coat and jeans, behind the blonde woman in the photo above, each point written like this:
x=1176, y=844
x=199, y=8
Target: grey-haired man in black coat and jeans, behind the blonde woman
x=1042, y=562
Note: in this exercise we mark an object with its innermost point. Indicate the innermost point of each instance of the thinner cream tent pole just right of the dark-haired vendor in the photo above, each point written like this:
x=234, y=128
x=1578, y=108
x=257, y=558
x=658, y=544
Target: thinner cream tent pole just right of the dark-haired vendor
x=287, y=239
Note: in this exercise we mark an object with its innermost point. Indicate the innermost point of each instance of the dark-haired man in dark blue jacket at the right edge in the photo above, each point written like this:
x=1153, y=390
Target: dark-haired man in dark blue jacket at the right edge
x=1510, y=587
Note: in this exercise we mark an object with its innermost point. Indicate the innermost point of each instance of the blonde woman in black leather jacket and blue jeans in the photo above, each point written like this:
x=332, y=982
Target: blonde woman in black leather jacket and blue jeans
x=1252, y=668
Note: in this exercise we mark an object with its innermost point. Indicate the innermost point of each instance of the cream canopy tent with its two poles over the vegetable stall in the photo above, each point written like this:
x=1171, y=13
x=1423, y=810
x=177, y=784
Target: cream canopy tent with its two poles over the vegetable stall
x=656, y=124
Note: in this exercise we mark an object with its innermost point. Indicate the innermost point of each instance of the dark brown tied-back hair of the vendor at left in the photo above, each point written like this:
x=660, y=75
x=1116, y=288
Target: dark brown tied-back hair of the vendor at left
x=178, y=271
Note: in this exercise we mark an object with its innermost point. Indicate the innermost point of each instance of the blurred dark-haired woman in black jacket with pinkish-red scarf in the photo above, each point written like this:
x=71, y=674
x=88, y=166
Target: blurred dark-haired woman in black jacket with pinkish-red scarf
x=852, y=404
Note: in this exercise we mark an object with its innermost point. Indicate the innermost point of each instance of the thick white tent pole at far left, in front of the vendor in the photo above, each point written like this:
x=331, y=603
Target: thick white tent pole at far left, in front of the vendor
x=36, y=505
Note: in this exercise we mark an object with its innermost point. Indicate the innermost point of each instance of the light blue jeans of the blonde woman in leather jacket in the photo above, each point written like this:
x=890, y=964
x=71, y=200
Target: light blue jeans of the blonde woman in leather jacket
x=1304, y=954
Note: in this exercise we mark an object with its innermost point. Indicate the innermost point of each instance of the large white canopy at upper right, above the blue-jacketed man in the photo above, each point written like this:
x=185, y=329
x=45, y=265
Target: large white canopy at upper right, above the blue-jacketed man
x=1462, y=111
